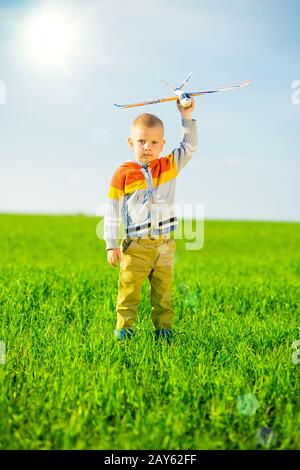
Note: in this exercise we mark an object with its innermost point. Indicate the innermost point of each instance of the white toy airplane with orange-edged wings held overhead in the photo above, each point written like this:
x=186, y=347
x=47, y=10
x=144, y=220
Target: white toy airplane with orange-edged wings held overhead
x=184, y=98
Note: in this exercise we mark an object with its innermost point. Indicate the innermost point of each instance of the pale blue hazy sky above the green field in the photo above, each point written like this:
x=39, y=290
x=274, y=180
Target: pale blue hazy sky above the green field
x=61, y=137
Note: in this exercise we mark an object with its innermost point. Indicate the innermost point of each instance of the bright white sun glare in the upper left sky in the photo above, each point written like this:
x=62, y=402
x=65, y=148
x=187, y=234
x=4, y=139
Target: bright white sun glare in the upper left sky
x=51, y=38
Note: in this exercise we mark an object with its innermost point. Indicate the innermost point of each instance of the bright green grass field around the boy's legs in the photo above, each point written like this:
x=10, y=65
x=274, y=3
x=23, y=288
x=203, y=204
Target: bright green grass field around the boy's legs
x=66, y=383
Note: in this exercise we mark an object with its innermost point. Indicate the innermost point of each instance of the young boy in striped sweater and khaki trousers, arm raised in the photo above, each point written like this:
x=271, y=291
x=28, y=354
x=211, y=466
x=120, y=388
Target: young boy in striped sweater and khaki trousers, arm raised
x=142, y=193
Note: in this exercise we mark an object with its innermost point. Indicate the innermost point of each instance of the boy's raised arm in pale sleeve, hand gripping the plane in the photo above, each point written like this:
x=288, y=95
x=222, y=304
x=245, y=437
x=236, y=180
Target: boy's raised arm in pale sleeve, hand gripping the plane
x=189, y=142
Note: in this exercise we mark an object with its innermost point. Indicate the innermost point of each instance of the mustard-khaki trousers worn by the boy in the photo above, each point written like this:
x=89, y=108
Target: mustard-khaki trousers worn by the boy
x=145, y=257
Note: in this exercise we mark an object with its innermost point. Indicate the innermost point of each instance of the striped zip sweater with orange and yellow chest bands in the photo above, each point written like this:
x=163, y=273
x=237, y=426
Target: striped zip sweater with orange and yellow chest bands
x=143, y=194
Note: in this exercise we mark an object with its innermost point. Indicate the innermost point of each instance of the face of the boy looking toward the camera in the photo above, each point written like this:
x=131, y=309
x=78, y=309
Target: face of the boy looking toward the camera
x=146, y=142
